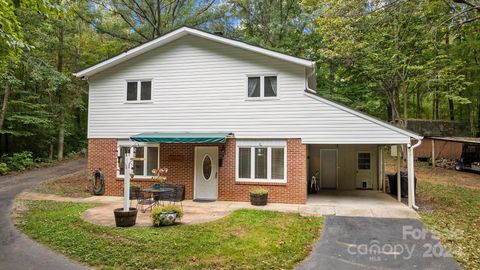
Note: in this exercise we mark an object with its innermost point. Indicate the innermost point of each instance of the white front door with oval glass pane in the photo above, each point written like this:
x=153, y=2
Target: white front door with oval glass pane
x=206, y=172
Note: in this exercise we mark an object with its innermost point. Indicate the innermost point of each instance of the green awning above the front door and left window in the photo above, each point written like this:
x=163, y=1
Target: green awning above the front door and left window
x=181, y=137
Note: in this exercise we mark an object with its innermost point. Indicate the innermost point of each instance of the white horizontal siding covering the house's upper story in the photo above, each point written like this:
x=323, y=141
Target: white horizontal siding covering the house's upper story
x=200, y=86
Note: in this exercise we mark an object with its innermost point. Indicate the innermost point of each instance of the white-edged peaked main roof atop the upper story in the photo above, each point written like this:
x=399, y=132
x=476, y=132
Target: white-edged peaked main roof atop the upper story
x=178, y=33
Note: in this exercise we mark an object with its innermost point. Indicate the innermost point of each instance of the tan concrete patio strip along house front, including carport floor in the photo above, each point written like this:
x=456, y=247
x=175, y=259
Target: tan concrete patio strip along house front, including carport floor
x=358, y=203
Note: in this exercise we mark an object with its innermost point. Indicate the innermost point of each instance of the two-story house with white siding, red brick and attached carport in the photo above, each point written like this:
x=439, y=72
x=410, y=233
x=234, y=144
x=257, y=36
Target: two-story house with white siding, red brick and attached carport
x=225, y=117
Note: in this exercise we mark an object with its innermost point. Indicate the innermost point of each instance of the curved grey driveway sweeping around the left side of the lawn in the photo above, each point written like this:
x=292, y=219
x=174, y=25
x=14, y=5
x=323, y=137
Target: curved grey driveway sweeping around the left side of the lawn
x=16, y=250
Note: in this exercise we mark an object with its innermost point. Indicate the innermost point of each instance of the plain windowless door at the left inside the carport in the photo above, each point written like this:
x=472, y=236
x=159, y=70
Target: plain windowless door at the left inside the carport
x=328, y=168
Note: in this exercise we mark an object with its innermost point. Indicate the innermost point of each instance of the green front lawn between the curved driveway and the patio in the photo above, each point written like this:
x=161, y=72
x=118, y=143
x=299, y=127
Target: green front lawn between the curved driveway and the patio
x=247, y=239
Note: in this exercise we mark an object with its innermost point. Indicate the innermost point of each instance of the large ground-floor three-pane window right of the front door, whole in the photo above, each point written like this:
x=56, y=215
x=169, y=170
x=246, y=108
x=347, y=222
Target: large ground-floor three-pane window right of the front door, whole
x=261, y=161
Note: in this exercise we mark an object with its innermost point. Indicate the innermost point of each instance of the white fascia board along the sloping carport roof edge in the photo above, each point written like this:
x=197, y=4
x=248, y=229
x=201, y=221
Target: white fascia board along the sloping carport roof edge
x=367, y=117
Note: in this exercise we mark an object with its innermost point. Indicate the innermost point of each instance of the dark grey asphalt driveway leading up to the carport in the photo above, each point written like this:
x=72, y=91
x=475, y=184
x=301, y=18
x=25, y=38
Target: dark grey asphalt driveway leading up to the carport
x=377, y=243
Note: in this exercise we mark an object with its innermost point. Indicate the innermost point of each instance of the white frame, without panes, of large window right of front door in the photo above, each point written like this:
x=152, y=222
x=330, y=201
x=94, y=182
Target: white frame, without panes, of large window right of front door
x=269, y=144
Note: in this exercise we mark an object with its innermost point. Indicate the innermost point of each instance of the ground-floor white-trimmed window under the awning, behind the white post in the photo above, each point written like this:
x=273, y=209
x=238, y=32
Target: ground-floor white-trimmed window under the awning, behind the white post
x=141, y=168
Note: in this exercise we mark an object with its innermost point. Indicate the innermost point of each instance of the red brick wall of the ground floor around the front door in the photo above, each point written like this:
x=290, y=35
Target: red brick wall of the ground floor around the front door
x=179, y=159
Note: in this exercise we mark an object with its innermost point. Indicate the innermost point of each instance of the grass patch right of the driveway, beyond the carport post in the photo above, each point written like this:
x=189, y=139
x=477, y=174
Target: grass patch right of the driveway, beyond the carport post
x=453, y=214
